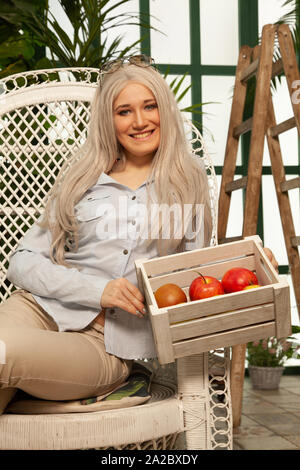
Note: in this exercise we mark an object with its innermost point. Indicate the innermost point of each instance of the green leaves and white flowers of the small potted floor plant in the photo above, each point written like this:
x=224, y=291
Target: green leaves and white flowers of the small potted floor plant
x=273, y=352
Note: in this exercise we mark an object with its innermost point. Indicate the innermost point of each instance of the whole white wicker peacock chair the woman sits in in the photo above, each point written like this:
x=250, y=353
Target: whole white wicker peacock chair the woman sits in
x=44, y=116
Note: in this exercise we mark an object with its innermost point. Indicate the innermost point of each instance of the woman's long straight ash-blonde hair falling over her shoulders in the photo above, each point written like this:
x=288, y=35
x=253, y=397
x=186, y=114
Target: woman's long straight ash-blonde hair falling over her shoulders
x=178, y=177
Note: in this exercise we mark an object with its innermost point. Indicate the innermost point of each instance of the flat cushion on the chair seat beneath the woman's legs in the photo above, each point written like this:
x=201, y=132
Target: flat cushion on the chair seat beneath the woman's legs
x=135, y=391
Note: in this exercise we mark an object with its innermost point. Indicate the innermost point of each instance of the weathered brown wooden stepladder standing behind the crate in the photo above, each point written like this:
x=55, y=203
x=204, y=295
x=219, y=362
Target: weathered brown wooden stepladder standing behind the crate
x=258, y=61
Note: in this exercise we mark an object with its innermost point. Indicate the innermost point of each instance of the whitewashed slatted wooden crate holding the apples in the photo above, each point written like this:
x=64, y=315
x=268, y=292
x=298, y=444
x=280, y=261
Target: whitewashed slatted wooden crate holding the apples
x=221, y=321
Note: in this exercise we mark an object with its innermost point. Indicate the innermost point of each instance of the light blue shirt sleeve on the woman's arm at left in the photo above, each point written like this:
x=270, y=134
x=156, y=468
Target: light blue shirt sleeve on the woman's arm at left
x=31, y=269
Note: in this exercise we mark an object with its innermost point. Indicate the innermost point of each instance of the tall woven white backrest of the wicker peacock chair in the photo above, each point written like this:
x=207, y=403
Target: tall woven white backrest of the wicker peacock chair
x=44, y=116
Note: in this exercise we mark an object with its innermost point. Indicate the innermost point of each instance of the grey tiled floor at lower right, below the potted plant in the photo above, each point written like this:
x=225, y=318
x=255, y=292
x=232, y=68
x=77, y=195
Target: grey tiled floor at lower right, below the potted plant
x=270, y=418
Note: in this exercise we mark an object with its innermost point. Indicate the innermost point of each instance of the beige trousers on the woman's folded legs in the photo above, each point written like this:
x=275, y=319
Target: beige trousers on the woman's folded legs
x=38, y=359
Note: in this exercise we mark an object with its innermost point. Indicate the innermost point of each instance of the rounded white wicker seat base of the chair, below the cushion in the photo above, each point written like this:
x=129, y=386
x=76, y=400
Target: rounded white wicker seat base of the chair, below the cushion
x=152, y=425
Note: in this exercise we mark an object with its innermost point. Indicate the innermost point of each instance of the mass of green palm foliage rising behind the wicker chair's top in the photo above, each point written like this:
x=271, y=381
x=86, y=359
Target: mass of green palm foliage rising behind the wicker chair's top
x=26, y=25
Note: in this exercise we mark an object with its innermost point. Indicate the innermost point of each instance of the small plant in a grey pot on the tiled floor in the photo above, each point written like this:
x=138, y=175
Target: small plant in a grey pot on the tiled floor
x=266, y=359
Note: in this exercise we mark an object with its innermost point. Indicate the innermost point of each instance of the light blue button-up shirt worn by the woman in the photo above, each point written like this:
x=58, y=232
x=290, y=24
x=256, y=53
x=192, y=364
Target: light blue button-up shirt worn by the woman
x=109, y=219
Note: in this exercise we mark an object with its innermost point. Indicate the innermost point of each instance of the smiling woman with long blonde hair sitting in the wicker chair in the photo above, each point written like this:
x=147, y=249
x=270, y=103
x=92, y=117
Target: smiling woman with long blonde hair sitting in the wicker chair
x=79, y=320
